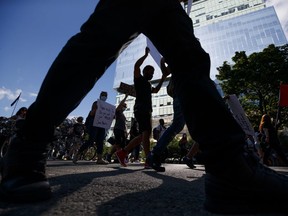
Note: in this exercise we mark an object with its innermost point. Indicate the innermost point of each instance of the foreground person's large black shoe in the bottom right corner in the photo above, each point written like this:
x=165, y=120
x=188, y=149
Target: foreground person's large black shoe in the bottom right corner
x=249, y=187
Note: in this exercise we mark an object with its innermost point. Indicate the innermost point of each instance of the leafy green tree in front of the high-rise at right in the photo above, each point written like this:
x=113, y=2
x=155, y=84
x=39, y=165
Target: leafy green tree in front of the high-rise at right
x=255, y=79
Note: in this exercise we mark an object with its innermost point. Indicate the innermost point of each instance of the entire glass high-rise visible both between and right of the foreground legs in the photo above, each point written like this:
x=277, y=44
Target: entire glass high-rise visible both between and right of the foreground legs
x=223, y=27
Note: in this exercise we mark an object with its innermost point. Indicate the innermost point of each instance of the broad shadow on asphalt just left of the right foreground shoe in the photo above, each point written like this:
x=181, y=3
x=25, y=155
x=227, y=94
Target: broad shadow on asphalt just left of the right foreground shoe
x=174, y=196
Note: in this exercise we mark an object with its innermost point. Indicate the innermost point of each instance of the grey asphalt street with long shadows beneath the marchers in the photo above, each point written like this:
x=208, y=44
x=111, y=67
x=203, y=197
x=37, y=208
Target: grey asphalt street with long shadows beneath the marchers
x=104, y=190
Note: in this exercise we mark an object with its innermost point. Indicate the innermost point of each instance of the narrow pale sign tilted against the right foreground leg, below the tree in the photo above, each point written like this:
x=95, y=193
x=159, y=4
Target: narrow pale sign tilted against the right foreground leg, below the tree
x=240, y=115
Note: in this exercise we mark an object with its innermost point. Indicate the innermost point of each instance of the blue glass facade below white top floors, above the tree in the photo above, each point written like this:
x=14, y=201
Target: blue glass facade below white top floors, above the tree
x=251, y=32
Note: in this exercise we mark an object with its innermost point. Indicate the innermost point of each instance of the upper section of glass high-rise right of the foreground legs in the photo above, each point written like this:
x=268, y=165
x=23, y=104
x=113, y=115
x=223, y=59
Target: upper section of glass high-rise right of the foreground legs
x=224, y=27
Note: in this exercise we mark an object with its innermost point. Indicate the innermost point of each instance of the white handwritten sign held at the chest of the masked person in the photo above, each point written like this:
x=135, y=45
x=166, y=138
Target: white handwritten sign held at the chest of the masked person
x=104, y=114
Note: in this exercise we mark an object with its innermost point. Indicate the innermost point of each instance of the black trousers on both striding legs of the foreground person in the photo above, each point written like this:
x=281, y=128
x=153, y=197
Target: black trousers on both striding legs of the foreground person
x=112, y=26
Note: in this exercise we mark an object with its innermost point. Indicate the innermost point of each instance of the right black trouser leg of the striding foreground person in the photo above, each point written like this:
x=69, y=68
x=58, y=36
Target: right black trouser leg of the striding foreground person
x=209, y=121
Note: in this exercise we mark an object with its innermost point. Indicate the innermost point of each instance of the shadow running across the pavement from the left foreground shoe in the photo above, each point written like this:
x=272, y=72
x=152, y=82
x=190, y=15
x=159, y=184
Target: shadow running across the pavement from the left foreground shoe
x=62, y=187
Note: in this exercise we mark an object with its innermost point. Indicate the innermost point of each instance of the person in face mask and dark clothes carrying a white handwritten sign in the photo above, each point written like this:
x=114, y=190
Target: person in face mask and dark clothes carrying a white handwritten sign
x=96, y=134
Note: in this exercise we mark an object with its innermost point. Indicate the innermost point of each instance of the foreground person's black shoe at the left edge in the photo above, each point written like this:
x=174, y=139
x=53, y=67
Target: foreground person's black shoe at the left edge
x=23, y=176
